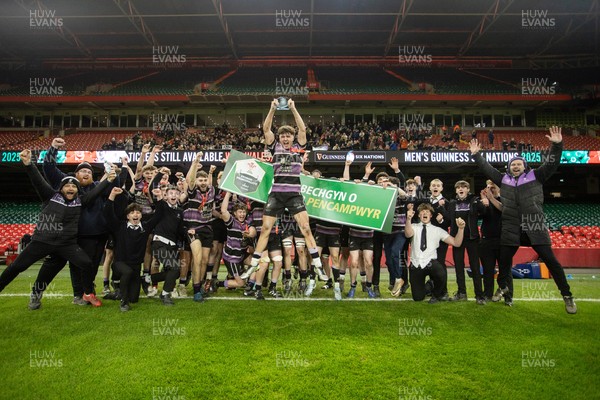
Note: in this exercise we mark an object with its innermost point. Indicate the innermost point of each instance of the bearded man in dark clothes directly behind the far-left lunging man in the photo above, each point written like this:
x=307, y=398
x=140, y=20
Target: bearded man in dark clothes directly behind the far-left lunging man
x=93, y=232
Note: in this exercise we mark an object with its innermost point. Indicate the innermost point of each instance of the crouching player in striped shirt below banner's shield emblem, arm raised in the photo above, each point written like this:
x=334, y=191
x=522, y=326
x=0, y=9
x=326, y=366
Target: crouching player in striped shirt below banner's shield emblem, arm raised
x=234, y=252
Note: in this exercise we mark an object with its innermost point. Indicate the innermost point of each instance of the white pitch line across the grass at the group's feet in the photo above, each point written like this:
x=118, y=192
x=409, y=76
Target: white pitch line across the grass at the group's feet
x=251, y=298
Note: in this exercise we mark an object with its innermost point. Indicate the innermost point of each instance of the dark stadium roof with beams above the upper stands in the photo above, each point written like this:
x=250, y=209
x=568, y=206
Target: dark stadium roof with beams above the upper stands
x=530, y=33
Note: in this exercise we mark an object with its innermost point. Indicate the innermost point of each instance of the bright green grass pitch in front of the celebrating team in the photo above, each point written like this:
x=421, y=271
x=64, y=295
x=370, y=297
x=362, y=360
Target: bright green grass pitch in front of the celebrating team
x=235, y=348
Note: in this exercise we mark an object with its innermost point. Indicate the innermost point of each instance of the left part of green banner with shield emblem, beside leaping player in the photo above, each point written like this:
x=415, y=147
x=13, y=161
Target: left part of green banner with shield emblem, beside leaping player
x=247, y=176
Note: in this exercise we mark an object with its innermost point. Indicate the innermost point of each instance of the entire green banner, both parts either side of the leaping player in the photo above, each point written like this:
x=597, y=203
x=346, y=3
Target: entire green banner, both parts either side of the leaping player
x=348, y=203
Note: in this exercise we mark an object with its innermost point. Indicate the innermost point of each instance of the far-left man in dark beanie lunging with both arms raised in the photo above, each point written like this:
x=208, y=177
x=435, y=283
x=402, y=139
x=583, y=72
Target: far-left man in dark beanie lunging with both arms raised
x=55, y=233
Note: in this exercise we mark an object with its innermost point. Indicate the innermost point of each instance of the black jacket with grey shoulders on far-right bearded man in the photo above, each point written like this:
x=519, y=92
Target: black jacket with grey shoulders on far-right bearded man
x=523, y=199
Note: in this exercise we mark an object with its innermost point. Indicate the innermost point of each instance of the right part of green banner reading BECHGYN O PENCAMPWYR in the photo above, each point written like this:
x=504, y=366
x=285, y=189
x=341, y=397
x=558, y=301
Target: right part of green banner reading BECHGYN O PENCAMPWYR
x=348, y=203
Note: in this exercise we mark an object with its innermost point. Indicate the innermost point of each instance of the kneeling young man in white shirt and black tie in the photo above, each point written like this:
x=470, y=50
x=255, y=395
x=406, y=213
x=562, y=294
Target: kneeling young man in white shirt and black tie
x=423, y=255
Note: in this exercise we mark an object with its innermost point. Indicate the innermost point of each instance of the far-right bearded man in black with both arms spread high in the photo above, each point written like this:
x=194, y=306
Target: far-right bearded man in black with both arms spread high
x=523, y=221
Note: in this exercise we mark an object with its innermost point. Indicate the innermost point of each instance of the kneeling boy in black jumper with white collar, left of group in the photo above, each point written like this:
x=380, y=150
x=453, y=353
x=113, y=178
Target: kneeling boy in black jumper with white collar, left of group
x=131, y=237
